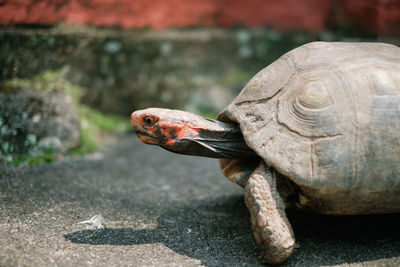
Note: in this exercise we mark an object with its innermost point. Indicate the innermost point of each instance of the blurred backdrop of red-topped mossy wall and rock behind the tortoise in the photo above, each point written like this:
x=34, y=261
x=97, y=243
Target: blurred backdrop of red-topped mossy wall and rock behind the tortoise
x=72, y=71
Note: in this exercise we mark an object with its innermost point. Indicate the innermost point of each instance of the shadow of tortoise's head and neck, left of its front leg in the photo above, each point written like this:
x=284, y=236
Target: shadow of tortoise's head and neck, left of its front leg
x=216, y=231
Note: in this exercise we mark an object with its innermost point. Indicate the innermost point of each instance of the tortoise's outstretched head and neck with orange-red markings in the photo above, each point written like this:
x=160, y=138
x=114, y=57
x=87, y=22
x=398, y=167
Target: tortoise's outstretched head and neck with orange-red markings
x=186, y=133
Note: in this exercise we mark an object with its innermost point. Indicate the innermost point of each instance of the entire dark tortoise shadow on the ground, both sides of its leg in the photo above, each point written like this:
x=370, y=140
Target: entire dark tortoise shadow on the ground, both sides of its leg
x=217, y=232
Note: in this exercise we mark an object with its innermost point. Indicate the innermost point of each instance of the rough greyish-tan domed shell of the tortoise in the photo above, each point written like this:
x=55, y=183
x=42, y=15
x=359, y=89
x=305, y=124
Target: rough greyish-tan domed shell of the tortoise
x=327, y=115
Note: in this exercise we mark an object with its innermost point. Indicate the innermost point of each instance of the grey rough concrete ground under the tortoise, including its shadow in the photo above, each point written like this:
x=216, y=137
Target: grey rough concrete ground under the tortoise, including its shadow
x=161, y=209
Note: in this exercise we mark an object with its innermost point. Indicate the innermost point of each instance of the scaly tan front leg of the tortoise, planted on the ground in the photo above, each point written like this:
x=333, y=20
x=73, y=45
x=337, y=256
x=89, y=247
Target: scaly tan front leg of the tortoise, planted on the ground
x=271, y=228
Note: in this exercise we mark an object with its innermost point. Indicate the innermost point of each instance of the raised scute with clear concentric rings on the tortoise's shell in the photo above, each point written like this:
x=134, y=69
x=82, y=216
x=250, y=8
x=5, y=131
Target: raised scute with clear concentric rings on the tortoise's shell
x=309, y=108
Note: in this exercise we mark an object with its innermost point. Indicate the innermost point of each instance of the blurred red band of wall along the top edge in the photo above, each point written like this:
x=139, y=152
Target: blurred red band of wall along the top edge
x=379, y=16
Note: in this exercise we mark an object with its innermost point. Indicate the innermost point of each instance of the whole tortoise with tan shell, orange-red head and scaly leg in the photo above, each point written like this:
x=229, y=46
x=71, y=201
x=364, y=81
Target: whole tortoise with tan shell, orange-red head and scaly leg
x=317, y=130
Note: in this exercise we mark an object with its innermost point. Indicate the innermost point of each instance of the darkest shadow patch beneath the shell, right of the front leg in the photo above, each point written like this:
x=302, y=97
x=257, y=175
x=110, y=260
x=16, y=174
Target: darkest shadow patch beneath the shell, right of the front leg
x=332, y=240
